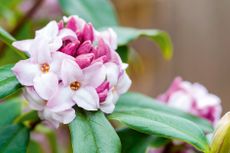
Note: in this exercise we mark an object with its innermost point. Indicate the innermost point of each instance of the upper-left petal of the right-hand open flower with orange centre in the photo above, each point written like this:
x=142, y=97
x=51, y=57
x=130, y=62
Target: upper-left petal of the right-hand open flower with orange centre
x=70, y=72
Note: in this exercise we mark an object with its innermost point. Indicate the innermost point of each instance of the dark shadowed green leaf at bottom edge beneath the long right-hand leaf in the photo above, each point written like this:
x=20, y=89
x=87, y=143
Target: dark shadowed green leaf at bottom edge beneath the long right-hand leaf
x=135, y=142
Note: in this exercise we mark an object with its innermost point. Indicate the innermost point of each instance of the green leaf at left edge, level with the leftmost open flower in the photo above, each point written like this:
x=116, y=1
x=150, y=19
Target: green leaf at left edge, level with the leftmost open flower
x=8, y=82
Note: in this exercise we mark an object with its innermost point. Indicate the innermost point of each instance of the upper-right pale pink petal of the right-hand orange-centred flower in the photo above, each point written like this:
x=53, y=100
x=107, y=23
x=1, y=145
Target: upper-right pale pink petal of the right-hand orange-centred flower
x=94, y=75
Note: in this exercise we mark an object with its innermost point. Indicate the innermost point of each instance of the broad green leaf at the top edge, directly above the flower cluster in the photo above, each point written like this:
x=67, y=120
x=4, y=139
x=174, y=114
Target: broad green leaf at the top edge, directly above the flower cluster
x=101, y=12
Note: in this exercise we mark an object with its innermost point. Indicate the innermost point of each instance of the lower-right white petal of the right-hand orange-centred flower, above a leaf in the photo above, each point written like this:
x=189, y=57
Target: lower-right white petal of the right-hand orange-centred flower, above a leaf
x=87, y=98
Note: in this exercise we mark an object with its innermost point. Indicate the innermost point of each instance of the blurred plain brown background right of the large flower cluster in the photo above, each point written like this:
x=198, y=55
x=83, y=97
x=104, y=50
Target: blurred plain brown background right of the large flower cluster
x=200, y=33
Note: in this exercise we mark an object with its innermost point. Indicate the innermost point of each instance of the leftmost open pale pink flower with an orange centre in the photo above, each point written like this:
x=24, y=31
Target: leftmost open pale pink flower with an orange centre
x=38, y=70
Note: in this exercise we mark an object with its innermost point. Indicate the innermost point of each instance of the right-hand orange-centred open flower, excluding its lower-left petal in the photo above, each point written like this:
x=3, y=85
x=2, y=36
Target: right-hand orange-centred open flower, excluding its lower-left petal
x=81, y=84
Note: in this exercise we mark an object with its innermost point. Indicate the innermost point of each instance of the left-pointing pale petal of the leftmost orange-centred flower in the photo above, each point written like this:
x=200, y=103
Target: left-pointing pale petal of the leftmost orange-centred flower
x=26, y=71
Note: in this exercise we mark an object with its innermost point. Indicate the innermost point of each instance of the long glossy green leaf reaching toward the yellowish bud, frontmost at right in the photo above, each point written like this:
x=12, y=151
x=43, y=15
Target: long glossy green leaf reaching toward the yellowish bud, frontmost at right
x=161, y=124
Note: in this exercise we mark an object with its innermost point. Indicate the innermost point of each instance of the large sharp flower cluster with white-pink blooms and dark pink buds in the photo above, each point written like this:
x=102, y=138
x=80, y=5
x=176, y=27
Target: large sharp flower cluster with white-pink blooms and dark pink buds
x=71, y=64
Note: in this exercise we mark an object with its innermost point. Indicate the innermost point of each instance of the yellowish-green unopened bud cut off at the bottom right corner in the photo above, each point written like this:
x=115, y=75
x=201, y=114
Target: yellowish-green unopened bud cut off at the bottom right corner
x=221, y=138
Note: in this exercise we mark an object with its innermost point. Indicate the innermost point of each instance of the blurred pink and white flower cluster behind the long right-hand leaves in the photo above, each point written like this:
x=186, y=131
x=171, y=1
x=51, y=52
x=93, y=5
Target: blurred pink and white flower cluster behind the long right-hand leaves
x=194, y=98
